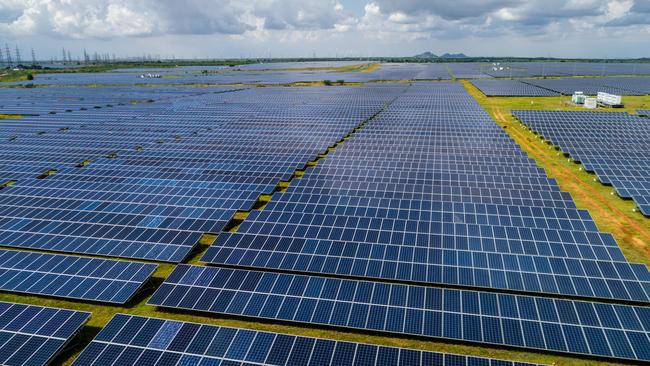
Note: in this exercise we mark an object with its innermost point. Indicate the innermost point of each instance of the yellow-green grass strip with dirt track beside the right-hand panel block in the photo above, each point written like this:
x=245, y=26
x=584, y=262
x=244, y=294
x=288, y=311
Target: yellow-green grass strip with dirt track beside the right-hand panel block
x=611, y=213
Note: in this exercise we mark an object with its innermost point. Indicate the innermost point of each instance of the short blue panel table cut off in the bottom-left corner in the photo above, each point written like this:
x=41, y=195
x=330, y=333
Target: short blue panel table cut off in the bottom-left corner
x=34, y=335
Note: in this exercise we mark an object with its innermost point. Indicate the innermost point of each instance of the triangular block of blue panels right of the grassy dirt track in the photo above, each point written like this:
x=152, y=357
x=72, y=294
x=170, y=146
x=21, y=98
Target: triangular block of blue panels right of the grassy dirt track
x=611, y=144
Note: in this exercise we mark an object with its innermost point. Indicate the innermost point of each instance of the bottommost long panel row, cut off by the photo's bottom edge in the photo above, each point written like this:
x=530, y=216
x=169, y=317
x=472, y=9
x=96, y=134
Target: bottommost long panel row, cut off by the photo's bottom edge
x=133, y=340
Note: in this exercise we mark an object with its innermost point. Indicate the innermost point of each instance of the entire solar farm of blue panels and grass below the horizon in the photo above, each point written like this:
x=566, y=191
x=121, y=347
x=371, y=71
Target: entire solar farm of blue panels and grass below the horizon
x=230, y=218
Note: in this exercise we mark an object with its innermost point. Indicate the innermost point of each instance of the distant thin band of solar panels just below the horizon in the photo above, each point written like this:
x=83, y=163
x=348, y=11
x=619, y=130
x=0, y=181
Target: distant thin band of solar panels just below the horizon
x=288, y=72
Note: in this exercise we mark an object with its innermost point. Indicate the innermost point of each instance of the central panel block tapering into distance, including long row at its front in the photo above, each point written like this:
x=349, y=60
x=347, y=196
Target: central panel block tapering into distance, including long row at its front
x=430, y=191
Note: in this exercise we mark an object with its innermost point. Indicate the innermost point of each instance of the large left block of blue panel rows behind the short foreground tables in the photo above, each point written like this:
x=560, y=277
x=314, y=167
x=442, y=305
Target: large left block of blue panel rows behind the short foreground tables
x=181, y=170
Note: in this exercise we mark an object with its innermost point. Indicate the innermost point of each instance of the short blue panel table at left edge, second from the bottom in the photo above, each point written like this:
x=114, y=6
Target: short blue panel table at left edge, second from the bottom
x=72, y=277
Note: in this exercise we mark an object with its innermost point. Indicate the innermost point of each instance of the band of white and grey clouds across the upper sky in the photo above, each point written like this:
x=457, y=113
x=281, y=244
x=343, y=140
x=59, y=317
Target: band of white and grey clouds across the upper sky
x=322, y=21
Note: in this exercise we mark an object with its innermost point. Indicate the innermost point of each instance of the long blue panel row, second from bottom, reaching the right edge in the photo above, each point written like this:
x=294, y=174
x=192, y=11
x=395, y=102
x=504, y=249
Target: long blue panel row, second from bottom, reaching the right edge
x=484, y=317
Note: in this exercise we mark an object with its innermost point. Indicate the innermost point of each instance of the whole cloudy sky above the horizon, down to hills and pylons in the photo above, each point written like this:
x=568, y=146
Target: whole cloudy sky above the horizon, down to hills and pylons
x=327, y=28
